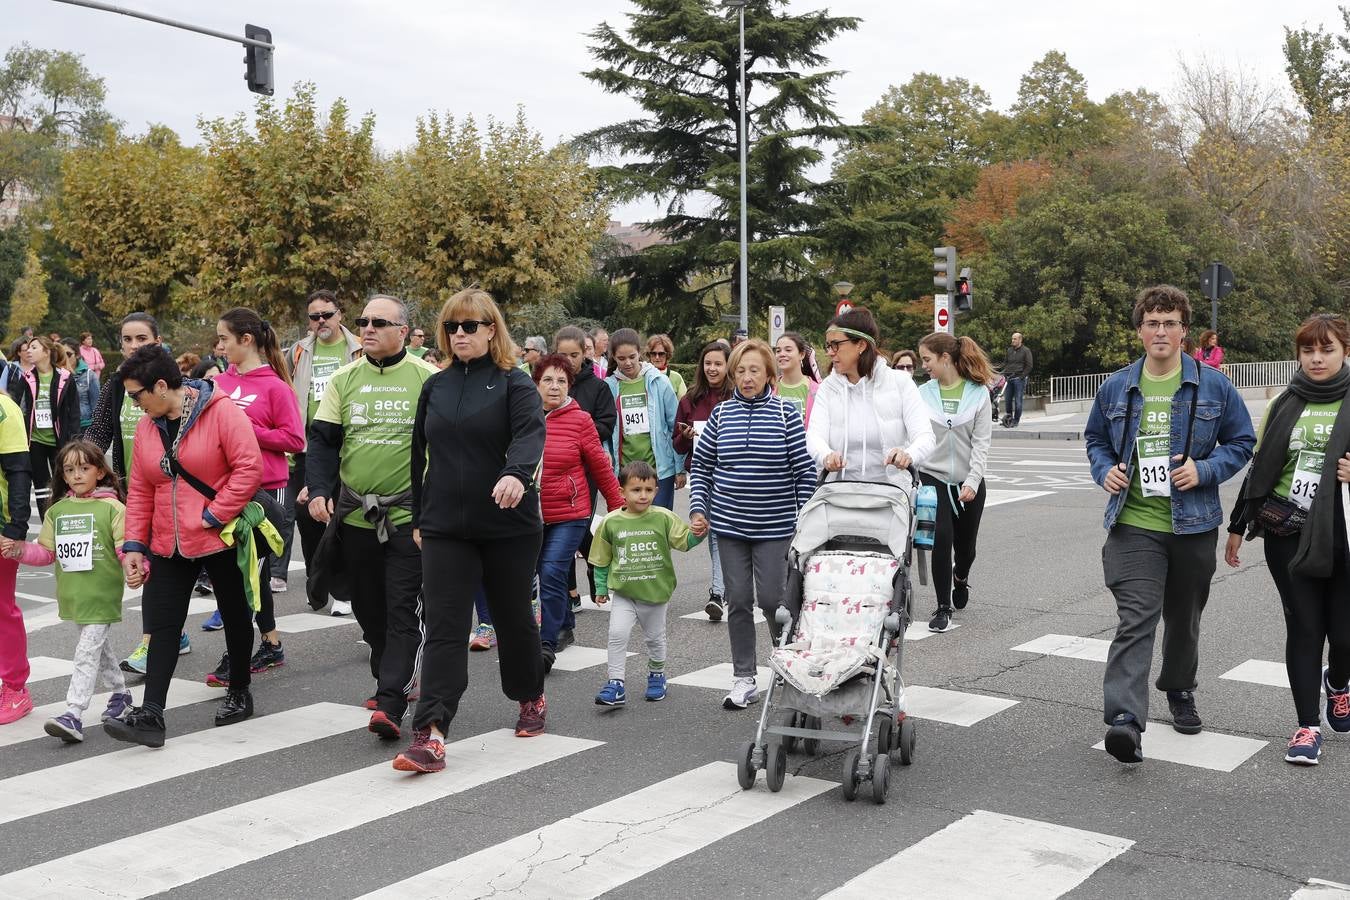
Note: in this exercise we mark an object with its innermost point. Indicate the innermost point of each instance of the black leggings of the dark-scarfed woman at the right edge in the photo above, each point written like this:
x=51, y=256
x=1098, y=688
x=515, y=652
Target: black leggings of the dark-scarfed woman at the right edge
x=1317, y=613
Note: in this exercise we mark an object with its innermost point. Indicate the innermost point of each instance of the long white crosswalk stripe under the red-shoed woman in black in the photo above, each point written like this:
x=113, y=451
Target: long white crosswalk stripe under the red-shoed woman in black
x=136, y=867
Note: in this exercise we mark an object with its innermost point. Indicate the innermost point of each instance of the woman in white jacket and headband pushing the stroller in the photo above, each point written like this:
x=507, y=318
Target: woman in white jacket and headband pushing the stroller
x=867, y=416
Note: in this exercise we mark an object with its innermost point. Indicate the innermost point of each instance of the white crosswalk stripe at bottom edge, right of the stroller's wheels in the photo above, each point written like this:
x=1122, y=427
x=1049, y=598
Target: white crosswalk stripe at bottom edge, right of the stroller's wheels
x=1017, y=860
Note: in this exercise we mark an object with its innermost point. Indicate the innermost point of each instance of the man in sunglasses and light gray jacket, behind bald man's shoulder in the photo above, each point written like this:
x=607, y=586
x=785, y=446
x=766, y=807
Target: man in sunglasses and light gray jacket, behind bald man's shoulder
x=326, y=347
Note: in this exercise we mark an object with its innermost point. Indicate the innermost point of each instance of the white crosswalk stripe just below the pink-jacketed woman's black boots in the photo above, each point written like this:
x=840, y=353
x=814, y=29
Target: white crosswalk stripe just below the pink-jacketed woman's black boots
x=101, y=777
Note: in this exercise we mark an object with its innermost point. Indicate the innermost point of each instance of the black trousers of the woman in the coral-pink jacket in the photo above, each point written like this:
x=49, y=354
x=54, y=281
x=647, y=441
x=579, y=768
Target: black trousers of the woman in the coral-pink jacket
x=164, y=609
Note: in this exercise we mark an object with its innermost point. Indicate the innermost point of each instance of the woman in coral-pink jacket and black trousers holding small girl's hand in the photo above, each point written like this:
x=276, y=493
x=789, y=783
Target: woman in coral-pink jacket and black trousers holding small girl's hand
x=195, y=466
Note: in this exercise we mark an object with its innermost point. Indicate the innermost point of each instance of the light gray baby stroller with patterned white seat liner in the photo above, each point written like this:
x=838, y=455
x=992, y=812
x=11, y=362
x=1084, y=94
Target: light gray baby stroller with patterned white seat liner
x=838, y=660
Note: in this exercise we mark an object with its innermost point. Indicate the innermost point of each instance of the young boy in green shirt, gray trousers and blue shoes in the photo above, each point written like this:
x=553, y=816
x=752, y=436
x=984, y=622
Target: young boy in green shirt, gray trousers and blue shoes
x=632, y=558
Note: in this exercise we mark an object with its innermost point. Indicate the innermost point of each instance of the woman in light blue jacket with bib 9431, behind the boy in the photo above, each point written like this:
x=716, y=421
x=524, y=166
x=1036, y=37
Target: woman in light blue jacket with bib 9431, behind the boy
x=646, y=404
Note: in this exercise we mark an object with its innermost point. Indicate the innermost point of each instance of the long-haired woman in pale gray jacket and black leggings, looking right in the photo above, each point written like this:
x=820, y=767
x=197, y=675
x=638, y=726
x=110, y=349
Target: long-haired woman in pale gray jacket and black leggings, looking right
x=958, y=405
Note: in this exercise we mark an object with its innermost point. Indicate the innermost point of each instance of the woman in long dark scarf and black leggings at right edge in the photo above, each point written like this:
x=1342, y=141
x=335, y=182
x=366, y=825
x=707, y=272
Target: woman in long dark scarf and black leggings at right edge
x=1294, y=497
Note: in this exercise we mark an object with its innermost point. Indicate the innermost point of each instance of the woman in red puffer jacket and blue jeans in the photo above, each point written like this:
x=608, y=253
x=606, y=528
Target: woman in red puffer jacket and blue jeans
x=572, y=451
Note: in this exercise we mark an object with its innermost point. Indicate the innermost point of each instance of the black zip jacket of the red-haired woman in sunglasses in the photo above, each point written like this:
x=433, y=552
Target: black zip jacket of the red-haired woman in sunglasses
x=476, y=424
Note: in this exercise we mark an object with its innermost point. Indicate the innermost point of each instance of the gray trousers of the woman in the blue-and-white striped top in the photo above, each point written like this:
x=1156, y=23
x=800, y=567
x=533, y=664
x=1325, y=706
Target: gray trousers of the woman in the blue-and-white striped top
x=751, y=570
